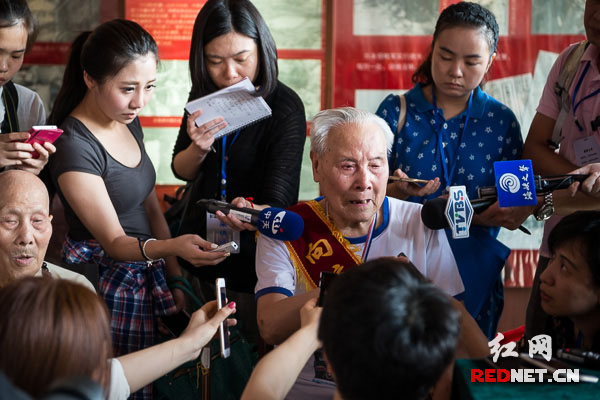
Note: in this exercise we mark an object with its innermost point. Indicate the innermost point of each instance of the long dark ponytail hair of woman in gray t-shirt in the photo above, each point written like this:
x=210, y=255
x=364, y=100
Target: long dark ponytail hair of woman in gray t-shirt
x=101, y=53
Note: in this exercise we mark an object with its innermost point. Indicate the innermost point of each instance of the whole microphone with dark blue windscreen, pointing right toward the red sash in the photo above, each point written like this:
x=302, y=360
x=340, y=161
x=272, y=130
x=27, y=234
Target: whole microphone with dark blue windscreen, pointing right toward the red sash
x=272, y=222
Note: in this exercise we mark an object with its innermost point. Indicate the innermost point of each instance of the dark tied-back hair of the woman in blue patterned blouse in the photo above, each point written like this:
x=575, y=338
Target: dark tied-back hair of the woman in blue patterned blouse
x=463, y=14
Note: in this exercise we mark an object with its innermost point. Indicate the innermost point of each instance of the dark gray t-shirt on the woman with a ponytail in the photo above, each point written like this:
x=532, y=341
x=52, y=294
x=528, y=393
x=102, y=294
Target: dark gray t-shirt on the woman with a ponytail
x=79, y=150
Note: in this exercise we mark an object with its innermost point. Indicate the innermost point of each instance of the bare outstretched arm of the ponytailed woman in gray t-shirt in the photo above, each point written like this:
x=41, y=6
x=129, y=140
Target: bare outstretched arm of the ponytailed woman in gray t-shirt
x=88, y=197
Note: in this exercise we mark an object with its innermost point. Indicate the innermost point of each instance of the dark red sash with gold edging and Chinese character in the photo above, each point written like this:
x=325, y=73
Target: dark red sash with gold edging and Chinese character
x=320, y=248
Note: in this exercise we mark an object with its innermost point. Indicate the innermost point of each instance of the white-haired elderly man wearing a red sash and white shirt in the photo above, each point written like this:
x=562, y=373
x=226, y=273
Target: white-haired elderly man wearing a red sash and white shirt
x=352, y=222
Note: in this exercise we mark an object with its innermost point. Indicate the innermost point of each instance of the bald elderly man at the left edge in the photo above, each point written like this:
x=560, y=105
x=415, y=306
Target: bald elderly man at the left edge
x=25, y=229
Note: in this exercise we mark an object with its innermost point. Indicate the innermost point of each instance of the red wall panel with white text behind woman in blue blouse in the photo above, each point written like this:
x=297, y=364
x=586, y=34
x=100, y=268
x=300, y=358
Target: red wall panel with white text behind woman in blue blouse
x=388, y=62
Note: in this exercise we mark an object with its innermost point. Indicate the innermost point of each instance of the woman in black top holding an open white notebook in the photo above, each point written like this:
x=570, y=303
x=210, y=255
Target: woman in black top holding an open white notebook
x=256, y=166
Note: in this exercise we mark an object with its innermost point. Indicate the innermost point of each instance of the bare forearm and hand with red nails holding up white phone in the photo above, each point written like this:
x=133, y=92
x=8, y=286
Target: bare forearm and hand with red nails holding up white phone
x=145, y=366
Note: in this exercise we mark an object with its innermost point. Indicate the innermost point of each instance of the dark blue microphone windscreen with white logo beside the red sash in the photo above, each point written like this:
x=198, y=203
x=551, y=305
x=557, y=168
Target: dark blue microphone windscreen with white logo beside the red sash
x=280, y=224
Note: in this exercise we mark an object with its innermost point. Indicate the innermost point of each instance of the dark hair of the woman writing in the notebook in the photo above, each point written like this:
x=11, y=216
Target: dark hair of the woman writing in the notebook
x=220, y=17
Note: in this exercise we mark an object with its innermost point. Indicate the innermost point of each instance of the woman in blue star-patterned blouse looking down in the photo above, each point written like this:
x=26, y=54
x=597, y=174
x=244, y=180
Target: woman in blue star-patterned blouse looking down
x=452, y=135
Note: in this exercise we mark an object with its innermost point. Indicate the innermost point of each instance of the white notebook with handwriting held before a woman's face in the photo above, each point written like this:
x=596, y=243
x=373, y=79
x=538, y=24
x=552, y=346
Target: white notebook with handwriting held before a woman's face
x=239, y=104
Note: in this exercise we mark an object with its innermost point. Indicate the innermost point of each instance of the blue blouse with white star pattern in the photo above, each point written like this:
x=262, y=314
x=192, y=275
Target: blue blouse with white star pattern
x=493, y=134
